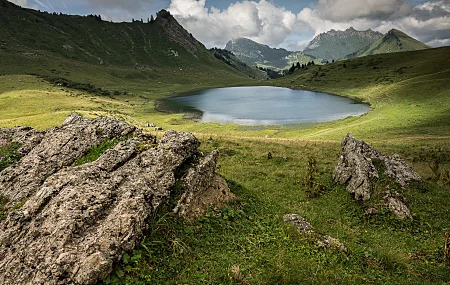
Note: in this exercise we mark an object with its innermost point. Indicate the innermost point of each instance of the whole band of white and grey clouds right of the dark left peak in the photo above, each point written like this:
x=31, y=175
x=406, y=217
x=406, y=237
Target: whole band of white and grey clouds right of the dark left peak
x=276, y=26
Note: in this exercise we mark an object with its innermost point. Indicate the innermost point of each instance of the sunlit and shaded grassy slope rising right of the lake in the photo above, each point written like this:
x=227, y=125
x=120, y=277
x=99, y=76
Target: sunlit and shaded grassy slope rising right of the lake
x=409, y=94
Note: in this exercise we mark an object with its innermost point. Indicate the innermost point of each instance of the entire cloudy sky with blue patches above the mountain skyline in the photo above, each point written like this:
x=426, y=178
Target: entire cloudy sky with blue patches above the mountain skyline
x=289, y=24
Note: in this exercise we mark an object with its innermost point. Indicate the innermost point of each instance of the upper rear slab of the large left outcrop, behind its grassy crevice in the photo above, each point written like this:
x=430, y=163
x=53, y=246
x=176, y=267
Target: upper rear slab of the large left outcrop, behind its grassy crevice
x=51, y=151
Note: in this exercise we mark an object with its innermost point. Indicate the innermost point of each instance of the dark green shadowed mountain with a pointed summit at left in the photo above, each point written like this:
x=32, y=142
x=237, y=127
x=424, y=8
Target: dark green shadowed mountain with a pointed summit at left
x=30, y=37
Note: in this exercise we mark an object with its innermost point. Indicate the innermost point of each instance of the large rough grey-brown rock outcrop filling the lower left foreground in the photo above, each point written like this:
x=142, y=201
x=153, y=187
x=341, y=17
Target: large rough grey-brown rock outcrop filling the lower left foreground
x=77, y=223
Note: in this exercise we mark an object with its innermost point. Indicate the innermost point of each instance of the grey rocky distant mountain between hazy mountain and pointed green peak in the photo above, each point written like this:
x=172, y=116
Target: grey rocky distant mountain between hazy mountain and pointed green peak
x=334, y=45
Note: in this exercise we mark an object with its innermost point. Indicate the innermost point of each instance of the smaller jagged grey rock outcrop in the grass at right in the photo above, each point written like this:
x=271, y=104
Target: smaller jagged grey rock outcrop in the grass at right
x=360, y=165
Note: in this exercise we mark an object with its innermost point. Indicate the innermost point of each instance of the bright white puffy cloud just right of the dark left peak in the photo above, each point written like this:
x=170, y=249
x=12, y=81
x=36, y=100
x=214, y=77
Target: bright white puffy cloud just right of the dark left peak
x=260, y=21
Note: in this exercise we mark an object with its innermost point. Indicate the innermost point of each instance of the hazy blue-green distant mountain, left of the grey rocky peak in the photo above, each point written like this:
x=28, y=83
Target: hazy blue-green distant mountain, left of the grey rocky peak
x=253, y=53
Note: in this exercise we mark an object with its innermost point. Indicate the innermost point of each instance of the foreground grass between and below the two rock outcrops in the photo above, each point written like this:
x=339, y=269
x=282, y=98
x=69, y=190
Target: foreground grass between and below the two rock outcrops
x=247, y=242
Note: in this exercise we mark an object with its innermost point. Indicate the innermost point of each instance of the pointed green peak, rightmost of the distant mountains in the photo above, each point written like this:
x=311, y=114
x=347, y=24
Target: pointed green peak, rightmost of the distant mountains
x=394, y=41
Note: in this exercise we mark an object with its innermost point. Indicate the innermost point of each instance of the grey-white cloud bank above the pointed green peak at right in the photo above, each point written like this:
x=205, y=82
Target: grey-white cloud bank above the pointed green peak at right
x=428, y=22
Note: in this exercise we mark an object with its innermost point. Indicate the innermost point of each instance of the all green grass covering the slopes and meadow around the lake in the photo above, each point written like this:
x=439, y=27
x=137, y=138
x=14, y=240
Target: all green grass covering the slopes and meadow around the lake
x=247, y=242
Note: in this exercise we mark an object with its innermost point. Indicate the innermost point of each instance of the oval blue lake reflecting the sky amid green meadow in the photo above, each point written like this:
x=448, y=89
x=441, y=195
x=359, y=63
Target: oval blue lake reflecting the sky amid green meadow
x=264, y=106
